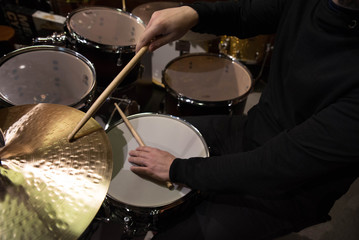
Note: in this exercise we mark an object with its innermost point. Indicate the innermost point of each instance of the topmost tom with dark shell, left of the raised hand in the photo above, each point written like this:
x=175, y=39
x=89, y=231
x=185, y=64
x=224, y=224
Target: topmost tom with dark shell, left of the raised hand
x=107, y=37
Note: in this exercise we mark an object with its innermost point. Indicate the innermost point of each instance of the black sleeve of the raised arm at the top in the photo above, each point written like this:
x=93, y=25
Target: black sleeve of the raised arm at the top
x=243, y=18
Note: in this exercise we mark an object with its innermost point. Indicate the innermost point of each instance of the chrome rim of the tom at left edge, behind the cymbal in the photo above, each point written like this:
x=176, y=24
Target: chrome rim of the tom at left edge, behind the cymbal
x=19, y=51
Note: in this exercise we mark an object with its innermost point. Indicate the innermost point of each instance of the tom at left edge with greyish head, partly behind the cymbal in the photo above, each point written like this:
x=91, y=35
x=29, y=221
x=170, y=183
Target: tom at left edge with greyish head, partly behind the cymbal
x=46, y=74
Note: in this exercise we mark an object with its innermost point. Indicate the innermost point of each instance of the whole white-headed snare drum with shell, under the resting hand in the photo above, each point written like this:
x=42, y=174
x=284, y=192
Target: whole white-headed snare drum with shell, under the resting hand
x=140, y=203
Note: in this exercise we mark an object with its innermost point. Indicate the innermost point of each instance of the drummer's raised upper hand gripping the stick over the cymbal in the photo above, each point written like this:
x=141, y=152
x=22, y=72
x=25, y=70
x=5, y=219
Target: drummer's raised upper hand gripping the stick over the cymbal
x=166, y=26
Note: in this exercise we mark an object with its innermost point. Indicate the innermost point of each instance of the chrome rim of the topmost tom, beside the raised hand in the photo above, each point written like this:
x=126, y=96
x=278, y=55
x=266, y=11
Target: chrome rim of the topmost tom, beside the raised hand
x=77, y=38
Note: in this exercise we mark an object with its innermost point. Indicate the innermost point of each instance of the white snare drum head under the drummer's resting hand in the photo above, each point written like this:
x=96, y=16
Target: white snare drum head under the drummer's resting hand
x=161, y=131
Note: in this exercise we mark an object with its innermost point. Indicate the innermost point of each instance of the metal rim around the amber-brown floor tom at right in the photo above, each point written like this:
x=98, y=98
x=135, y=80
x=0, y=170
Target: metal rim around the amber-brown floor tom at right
x=196, y=102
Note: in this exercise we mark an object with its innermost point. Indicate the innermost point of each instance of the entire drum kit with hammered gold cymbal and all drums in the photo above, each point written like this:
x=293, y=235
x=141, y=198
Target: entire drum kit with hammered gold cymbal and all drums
x=60, y=168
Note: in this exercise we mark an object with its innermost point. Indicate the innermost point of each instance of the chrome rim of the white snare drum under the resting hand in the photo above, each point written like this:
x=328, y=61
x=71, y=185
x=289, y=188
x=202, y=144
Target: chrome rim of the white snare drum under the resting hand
x=190, y=194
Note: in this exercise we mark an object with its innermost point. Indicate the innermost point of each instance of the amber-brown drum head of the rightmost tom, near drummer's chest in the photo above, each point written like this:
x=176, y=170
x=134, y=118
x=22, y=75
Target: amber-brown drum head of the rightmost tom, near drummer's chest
x=207, y=77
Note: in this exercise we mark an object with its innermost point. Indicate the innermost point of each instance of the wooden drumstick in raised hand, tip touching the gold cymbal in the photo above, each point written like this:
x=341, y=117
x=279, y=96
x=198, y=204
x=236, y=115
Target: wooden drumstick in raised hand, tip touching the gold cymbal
x=110, y=88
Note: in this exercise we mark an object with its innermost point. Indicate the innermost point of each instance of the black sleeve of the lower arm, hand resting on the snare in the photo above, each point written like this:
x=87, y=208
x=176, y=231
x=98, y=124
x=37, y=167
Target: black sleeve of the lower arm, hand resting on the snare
x=324, y=146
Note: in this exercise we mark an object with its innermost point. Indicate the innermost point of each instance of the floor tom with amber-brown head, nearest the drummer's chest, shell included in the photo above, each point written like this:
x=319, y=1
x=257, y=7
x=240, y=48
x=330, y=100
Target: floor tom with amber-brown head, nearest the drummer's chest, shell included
x=205, y=83
